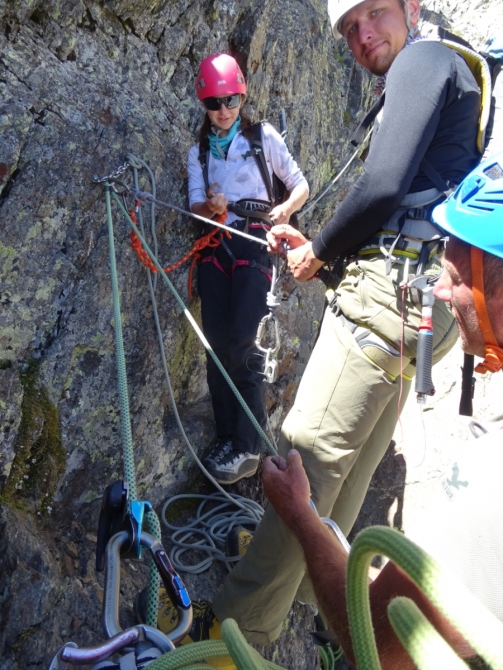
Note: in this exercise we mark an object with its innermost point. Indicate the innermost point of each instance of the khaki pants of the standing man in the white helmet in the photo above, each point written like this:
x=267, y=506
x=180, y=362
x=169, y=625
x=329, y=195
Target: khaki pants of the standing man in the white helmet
x=342, y=422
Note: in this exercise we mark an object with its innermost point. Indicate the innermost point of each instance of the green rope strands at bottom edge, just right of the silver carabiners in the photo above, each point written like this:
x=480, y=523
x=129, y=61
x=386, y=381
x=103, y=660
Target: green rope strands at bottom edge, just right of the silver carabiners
x=233, y=644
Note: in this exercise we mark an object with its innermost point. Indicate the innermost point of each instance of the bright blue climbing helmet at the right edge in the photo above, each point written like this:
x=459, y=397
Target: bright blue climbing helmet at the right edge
x=474, y=212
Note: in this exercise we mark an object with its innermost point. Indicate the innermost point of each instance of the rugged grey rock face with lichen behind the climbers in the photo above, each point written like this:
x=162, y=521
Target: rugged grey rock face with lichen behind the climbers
x=83, y=84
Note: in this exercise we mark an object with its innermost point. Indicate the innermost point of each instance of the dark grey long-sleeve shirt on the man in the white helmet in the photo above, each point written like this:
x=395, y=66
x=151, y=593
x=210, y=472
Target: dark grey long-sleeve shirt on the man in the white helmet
x=431, y=111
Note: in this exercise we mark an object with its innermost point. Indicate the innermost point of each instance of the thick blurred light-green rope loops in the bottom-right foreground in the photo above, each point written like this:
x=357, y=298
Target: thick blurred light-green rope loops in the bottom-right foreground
x=473, y=621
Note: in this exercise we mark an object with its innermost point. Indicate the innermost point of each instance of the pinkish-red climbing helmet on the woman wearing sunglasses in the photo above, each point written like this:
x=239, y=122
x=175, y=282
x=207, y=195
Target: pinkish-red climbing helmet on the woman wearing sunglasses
x=219, y=75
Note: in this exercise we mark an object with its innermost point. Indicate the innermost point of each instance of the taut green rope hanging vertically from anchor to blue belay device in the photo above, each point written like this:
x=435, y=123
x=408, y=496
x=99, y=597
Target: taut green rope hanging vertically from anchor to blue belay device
x=125, y=420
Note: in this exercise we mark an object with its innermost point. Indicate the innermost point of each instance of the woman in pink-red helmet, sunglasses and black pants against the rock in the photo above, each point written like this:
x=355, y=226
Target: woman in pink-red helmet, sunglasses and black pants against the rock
x=225, y=181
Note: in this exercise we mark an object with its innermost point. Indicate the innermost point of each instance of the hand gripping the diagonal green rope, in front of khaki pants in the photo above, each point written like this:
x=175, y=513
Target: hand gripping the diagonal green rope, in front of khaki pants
x=286, y=486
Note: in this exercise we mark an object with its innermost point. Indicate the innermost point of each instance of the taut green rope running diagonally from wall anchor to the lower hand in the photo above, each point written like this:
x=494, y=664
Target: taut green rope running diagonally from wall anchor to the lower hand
x=257, y=426
